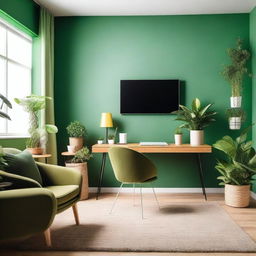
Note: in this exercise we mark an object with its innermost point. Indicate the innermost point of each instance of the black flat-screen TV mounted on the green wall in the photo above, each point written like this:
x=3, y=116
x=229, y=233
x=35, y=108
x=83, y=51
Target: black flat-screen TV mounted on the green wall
x=149, y=96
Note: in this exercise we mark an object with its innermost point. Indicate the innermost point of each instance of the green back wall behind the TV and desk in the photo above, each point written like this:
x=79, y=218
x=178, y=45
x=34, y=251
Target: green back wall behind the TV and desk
x=92, y=55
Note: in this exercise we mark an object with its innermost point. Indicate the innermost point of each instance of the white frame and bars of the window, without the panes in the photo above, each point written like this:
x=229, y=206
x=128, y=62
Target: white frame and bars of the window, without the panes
x=12, y=29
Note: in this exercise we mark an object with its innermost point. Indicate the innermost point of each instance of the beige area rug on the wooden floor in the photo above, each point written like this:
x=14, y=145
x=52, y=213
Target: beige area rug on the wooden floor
x=177, y=227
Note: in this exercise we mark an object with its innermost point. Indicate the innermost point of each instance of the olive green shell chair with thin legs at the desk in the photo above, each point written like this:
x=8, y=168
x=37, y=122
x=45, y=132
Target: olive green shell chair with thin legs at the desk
x=132, y=167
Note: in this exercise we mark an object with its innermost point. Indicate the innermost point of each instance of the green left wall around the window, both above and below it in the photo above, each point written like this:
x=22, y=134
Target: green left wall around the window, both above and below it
x=24, y=14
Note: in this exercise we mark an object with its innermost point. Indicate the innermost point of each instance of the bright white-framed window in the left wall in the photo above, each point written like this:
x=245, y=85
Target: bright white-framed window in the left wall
x=15, y=77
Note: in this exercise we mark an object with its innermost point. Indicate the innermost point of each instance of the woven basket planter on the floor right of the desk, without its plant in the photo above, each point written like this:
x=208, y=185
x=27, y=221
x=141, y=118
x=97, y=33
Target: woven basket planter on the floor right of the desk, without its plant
x=237, y=196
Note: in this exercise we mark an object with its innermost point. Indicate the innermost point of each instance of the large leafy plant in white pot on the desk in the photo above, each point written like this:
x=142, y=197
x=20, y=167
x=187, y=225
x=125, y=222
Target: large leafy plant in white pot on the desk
x=196, y=119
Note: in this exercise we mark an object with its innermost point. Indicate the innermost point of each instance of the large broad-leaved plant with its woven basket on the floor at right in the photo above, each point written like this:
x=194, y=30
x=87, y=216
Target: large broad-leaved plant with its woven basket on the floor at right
x=237, y=169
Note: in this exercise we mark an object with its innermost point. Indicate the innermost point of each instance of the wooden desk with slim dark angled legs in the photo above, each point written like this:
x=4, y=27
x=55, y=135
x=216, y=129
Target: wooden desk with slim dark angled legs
x=170, y=148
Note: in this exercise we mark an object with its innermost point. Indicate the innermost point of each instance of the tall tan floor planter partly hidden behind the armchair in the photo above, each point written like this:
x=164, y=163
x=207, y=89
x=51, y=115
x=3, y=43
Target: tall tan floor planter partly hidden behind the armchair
x=82, y=168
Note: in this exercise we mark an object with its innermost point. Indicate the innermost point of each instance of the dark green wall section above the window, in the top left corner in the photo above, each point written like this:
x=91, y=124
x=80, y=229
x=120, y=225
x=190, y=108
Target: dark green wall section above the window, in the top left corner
x=25, y=13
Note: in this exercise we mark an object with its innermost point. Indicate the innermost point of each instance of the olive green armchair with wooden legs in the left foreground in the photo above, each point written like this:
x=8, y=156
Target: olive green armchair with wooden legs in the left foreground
x=30, y=208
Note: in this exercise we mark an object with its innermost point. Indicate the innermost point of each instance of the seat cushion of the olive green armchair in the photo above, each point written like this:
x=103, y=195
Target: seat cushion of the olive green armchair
x=64, y=193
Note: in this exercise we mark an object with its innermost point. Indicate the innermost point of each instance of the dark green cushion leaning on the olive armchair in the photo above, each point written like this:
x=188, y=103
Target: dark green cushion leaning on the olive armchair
x=23, y=164
